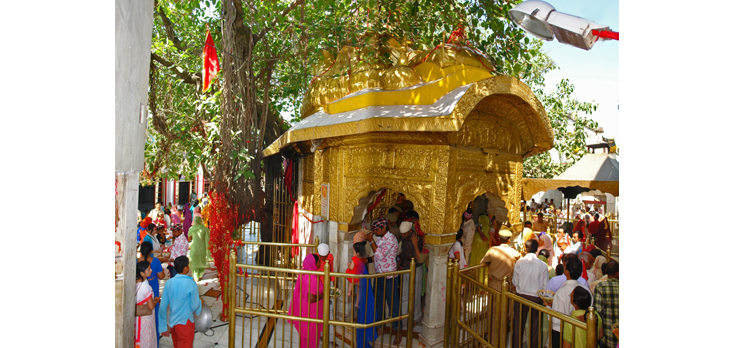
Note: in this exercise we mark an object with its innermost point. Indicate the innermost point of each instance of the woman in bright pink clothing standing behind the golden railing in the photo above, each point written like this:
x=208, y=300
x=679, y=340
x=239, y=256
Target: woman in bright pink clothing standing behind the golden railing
x=307, y=302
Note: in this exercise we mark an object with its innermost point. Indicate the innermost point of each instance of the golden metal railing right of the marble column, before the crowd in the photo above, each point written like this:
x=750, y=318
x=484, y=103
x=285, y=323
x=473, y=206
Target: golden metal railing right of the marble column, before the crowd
x=479, y=316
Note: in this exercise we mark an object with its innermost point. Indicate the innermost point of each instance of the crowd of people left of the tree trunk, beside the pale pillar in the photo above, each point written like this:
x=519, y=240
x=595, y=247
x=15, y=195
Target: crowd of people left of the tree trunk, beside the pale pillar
x=180, y=240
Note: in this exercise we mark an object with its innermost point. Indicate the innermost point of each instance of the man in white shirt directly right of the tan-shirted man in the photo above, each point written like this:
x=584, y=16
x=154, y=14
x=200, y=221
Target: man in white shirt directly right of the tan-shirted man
x=530, y=275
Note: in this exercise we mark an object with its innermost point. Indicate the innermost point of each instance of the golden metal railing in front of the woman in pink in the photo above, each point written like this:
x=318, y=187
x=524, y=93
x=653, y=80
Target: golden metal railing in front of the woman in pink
x=277, y=301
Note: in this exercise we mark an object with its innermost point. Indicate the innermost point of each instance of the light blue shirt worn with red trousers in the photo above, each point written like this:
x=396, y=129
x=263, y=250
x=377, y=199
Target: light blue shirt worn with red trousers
x=182, y=296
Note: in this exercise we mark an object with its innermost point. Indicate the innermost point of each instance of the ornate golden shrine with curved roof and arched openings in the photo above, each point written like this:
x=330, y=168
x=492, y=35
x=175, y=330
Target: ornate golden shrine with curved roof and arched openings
x=435, y=125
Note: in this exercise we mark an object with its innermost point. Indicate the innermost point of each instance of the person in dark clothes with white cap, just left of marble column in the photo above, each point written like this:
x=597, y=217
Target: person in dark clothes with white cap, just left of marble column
x=411, y=246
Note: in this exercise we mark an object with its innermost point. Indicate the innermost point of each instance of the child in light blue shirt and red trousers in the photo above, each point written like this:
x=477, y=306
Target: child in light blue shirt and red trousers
x=182, y=296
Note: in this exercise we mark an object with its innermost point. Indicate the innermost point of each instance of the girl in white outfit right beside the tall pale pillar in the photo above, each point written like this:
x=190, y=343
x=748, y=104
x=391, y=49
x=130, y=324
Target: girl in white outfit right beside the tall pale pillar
x=145, y=333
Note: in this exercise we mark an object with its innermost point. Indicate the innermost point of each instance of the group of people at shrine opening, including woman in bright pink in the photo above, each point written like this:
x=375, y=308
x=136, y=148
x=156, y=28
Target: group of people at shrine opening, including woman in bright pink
x=389, y=243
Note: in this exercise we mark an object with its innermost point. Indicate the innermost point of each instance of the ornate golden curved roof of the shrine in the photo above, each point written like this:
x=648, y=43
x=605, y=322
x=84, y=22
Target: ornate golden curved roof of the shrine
x=452, y=83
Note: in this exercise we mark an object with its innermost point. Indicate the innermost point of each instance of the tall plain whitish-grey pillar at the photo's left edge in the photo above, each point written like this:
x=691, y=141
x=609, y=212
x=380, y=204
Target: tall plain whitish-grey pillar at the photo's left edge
x=133, y=39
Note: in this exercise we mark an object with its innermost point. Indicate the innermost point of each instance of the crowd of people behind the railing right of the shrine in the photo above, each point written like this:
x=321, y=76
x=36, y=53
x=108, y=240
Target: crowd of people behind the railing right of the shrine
x=576, y=272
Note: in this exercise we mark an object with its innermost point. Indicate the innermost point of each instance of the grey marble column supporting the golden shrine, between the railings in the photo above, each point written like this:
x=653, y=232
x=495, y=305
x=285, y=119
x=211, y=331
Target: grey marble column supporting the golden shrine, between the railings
x=435, y=297
